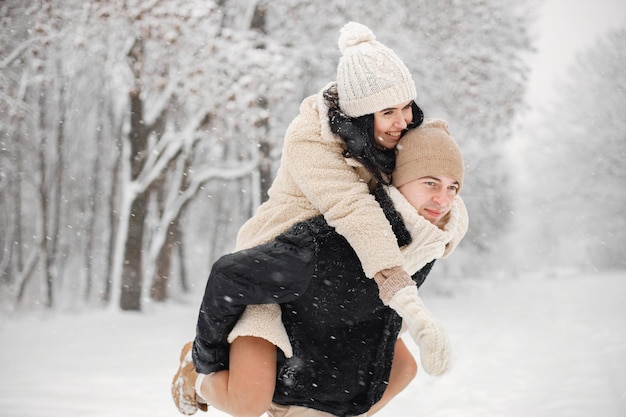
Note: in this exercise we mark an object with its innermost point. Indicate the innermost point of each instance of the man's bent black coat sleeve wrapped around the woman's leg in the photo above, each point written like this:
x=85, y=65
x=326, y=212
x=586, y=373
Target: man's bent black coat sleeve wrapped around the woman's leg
x=273, y=273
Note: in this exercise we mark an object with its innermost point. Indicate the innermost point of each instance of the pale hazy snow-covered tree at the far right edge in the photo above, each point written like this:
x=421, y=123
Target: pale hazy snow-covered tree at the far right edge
x=574, y=197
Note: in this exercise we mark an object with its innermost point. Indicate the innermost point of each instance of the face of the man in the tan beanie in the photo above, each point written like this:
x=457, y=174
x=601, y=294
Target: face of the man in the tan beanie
x=432, y=196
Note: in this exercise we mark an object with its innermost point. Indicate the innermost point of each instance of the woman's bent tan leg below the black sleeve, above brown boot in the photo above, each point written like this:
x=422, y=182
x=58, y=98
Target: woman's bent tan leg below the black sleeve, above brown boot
x=247, y=388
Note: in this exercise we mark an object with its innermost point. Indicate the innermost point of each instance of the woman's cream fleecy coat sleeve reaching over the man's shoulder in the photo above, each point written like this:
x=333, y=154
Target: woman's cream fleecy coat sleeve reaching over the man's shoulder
x=314, y=158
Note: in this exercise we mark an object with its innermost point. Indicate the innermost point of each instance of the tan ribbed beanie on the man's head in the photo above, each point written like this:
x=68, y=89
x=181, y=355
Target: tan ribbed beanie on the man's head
x=428, y=150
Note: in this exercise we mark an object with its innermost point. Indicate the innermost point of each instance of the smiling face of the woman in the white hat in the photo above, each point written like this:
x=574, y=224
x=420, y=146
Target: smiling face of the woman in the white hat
x=389, y=124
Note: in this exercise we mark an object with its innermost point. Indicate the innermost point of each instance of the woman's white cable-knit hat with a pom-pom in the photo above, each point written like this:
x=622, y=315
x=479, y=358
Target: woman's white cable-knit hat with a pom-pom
x=370, y=76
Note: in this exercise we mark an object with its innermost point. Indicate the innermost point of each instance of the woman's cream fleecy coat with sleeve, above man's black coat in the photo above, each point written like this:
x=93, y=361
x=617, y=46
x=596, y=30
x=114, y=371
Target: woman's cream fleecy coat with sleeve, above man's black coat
x=315, y=178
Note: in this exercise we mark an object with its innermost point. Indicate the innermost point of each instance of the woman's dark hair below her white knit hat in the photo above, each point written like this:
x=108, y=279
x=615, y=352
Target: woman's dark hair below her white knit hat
x=358, y=134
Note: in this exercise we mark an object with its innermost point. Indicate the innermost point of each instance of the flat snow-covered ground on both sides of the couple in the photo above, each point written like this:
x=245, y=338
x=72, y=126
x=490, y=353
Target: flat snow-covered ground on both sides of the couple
x=550, y=347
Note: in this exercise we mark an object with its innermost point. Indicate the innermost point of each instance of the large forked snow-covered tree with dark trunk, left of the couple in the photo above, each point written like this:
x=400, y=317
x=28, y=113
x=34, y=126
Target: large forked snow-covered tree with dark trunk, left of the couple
x=198, y=96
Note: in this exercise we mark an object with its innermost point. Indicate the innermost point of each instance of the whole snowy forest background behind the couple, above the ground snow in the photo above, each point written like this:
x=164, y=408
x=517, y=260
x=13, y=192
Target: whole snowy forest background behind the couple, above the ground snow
x=137, y=136
